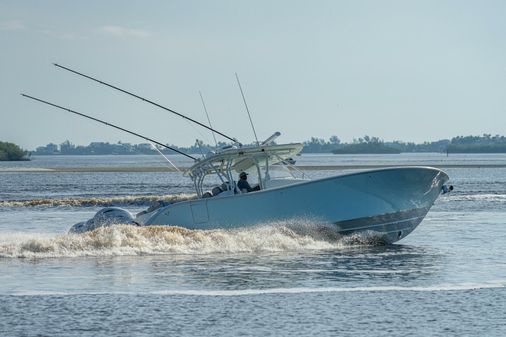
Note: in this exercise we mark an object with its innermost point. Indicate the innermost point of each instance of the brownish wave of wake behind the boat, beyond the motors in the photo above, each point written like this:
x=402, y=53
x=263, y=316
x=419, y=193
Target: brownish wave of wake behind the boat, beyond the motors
x=138, y=200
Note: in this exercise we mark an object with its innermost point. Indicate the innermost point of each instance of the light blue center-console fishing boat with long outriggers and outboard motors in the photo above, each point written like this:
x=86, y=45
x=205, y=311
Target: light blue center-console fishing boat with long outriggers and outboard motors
x=388, y=203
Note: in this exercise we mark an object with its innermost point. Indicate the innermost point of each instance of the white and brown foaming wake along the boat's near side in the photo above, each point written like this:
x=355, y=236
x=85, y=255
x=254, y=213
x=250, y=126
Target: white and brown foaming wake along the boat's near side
x=131, y=240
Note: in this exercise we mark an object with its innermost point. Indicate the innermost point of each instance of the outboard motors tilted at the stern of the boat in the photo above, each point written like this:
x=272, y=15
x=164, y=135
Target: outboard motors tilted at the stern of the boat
x=104, y=218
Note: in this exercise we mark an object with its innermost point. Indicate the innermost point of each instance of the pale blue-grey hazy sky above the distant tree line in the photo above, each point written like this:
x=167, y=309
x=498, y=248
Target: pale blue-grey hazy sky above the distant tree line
x=398, y=70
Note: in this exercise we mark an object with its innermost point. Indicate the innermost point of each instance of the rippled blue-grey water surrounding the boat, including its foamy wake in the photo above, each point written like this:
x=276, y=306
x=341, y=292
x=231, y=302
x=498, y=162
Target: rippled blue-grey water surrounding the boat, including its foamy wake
x=280, y=279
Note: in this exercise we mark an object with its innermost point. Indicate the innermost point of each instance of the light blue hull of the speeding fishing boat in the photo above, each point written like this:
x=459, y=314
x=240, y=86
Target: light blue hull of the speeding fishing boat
x=389, y=202
